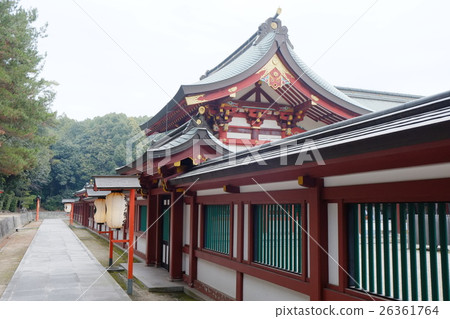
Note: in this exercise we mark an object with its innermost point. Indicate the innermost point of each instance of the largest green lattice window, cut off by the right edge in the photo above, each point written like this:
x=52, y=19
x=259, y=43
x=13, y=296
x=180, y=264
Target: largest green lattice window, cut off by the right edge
x=400, y=250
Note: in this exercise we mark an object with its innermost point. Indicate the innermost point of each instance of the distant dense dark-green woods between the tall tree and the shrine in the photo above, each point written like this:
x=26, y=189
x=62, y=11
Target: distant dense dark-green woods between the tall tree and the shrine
x=86, y=148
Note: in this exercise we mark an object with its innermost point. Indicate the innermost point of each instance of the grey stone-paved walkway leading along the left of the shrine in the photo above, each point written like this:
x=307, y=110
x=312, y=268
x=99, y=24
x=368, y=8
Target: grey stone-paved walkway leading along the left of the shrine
x=58, y=266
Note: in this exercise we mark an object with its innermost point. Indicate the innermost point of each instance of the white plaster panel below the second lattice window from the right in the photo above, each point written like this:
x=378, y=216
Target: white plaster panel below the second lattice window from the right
x=255, y=289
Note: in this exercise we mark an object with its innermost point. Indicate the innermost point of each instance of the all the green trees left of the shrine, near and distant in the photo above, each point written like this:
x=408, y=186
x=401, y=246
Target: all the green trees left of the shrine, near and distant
x=40, y=154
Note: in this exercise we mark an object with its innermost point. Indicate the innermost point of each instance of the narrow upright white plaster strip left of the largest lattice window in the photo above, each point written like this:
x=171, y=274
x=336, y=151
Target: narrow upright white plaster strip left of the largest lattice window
x=333, y=247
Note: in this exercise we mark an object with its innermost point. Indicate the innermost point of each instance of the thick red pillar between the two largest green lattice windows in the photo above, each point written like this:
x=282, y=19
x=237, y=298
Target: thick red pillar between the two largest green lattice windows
x=318, y=242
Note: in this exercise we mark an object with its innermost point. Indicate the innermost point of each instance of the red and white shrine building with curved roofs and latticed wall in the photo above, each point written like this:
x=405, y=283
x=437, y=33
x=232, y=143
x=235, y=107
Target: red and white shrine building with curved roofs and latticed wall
x=262, y=181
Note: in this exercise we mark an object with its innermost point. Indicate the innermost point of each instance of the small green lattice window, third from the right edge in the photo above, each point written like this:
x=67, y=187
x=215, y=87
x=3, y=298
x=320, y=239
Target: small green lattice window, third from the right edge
x=217, y=228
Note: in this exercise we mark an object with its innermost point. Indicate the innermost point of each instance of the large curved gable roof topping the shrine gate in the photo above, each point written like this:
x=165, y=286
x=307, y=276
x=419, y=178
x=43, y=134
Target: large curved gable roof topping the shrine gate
x=270, y=39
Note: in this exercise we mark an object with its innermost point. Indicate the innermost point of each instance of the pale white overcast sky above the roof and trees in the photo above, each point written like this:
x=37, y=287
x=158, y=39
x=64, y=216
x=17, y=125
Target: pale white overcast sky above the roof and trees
x=131, y=56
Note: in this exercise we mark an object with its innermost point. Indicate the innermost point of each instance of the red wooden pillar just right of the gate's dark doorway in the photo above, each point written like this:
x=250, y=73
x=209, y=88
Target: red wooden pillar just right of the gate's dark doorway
x=176, y=237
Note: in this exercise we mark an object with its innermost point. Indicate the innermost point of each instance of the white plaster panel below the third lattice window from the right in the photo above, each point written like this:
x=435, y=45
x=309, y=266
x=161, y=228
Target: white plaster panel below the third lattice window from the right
x=218, y=277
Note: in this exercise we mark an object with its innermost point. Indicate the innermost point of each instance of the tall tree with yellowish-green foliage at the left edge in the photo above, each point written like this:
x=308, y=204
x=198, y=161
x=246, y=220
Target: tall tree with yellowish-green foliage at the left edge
x=24, y=96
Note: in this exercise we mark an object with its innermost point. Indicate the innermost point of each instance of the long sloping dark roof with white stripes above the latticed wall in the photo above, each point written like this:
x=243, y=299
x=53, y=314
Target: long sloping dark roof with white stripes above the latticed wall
x=426, y=119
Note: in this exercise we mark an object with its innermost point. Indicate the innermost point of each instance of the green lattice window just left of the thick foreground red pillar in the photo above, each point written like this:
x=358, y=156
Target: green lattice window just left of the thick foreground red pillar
x=277, y=236
